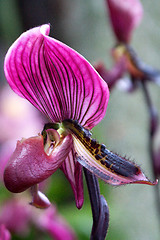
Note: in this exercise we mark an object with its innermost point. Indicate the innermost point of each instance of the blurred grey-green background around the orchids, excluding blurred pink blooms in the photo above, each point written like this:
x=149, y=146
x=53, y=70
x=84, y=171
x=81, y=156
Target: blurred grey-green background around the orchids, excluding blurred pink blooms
x=84, y=25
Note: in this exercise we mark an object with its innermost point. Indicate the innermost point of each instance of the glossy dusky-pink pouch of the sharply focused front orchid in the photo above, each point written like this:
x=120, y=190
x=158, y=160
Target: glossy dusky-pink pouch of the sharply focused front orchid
x=30, y=165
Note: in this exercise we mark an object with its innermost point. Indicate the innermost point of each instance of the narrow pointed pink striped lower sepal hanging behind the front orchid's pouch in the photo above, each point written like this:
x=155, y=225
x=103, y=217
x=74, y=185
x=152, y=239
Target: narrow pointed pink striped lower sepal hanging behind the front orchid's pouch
x=73, y=171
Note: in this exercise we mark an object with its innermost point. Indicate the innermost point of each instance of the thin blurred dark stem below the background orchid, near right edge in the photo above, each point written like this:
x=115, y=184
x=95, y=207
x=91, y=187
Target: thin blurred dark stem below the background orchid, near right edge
x=153, y=128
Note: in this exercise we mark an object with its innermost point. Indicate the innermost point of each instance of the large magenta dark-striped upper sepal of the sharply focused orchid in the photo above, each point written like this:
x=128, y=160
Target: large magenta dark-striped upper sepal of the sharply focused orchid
x=55, y=78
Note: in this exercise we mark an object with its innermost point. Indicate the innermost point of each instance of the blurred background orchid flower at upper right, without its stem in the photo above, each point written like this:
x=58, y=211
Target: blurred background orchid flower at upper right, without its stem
x=125, y=16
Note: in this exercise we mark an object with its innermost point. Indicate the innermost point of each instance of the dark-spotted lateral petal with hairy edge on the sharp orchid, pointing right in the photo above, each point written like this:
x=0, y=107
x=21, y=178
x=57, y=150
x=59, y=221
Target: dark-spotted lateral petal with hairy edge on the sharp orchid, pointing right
x=108, y=166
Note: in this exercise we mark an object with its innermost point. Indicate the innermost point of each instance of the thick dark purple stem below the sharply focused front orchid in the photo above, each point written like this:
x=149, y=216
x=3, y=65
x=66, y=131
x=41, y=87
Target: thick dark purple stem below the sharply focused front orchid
x=100, y=210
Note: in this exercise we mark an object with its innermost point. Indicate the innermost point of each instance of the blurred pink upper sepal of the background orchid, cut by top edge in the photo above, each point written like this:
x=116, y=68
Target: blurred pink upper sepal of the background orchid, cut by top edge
x=125, y=16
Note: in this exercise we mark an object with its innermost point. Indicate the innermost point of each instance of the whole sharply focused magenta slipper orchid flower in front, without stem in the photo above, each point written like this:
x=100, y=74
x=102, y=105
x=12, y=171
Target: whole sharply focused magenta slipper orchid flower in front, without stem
x=63, y=85
